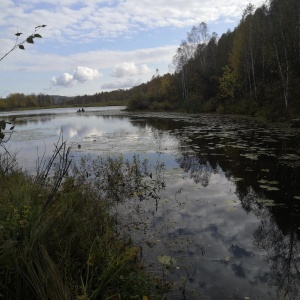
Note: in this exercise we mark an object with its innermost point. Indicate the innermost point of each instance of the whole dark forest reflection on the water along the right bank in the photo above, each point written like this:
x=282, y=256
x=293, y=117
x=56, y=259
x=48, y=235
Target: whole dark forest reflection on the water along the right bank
x=252, y=159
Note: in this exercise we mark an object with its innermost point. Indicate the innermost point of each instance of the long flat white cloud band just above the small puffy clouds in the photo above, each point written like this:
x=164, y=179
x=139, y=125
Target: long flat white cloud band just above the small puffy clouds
x=108, y=59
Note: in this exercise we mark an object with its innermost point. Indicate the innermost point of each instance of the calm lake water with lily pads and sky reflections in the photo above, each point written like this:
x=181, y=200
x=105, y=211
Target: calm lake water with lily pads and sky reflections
x=227, y=226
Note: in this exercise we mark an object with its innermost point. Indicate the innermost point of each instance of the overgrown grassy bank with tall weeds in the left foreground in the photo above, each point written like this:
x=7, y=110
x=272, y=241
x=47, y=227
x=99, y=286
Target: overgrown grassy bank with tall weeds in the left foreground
x=58, y=236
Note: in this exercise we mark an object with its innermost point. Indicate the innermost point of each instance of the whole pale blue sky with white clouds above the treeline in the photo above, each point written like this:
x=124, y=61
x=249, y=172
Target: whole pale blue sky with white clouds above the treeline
x=92, y=46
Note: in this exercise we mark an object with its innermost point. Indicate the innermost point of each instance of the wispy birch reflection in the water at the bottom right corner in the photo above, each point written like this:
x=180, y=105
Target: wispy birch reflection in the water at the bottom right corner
x=281, y=249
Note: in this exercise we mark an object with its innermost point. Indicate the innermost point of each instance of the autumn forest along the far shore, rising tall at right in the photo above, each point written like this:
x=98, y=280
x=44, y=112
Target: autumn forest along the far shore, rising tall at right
x=254, y=69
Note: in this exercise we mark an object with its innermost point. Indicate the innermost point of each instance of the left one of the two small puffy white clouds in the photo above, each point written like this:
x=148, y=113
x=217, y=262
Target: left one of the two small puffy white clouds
x=81, y=74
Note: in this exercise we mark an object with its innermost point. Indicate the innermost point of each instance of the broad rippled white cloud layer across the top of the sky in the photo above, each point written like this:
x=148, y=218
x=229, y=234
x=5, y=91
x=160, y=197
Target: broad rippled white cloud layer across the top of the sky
x=77, y=22
